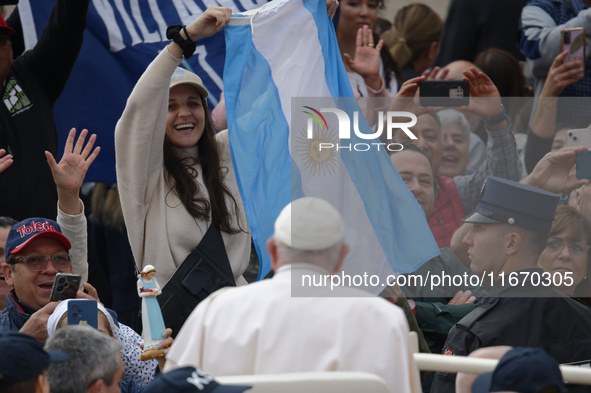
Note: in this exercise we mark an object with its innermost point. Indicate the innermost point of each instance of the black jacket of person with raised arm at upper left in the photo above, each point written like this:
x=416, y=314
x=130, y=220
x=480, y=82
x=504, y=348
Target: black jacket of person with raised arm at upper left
x=27, y=126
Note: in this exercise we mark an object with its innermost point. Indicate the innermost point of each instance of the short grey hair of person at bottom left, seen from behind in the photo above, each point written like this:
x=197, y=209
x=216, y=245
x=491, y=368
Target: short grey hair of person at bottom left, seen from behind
x=93, y=356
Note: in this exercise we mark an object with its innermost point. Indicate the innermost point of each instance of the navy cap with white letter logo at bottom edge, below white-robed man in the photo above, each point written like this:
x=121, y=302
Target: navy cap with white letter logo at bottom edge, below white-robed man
x=190, y=380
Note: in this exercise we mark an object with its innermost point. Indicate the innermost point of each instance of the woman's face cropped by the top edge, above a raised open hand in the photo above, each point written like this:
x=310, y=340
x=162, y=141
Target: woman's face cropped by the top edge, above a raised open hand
x=355, y=14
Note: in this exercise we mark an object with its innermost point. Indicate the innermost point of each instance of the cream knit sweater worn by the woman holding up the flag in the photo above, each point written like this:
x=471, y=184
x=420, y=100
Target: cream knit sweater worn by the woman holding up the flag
x=161, y=231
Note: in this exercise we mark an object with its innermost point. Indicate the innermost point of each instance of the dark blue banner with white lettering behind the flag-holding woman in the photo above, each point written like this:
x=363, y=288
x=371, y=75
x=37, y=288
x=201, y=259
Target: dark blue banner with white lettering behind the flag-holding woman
x=122, y=37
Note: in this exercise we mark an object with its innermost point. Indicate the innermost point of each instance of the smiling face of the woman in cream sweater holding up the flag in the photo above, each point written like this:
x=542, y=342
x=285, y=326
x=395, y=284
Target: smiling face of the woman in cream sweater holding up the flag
x=186, y=116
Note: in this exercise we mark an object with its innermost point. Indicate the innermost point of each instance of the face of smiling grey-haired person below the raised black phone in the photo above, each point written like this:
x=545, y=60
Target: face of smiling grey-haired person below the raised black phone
x=454, y=159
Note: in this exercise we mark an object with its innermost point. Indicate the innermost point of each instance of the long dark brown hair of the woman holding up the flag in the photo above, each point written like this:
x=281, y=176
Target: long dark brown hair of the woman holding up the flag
x=180, y=176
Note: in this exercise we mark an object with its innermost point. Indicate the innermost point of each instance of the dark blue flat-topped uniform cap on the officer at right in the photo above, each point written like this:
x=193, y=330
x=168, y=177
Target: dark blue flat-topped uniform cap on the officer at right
x=507, y=202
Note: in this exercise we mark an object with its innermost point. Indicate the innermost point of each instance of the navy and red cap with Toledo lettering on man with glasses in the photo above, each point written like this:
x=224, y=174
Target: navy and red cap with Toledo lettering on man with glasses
x=32, y=228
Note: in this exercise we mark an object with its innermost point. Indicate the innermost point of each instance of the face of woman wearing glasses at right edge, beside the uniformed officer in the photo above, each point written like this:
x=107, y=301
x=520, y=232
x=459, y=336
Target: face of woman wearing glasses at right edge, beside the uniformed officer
x=566, y=254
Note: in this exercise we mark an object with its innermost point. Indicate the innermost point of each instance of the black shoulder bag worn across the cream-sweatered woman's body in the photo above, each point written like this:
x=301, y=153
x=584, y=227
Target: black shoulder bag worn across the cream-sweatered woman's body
x=205, y=270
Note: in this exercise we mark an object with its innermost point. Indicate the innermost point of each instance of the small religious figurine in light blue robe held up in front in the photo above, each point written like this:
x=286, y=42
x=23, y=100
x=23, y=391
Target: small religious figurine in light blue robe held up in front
x=152, y=321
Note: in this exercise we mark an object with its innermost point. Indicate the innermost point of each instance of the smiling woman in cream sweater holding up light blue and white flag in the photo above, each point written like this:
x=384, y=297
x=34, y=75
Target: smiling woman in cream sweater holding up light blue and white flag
x=174, y=174
